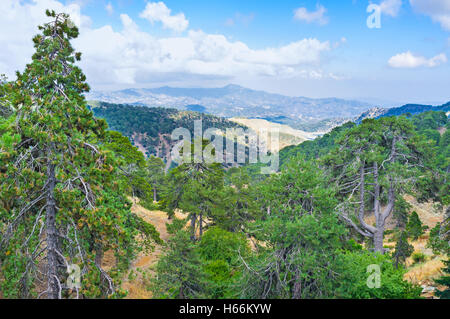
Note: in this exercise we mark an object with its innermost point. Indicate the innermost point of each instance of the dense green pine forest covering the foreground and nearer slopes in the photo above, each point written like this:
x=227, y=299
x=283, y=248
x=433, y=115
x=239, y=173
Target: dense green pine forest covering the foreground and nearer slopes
x=316, y=229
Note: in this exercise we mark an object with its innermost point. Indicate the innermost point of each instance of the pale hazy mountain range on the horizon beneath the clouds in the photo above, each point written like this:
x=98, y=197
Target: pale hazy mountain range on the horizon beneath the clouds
x=237, y=101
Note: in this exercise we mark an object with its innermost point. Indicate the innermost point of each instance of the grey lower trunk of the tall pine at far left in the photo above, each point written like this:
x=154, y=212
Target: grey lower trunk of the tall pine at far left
x=52, y=236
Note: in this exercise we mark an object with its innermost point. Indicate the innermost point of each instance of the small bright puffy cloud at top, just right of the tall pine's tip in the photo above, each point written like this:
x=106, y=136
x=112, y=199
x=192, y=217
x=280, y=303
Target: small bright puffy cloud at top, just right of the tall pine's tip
x=158, y=12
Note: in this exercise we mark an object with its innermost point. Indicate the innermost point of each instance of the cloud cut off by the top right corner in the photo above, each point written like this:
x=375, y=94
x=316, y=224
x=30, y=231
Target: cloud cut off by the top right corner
x=438, y=10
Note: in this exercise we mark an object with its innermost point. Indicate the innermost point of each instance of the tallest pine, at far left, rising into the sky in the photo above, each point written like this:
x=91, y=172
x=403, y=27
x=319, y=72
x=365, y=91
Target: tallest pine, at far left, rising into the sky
x=60, y=202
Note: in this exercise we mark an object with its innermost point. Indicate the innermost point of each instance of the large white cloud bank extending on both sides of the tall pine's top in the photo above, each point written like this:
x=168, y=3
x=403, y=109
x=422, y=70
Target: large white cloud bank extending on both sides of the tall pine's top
x=131, y=56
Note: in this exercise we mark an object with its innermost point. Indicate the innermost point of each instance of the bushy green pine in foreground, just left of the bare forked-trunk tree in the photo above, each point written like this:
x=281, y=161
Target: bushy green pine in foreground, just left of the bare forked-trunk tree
x=301, y=235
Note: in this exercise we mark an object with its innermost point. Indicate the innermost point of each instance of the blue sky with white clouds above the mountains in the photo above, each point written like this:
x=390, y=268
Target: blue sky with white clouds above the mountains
x=391, y=51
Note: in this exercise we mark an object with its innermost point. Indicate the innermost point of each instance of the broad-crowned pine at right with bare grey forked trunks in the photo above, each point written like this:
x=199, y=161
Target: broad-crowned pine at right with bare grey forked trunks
x=373, y=164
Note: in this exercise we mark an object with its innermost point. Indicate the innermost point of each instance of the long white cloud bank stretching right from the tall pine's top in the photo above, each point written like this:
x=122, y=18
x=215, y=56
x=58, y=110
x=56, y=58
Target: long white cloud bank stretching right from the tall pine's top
x=133, y=56
